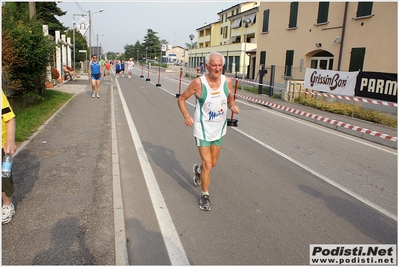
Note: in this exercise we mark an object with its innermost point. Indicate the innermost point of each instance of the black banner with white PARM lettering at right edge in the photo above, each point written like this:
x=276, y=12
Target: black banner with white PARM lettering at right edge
x=377, y=85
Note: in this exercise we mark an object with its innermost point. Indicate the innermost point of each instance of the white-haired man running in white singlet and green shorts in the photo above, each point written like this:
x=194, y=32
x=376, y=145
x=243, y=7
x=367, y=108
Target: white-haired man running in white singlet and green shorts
x=213, y=93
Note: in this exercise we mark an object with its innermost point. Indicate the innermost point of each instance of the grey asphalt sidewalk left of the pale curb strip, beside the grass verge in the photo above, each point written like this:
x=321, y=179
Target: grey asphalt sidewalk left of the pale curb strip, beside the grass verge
x=63, y=179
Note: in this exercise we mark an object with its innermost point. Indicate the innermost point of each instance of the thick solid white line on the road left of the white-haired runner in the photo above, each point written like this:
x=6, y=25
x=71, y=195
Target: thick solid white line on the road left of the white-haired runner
x=173, y=245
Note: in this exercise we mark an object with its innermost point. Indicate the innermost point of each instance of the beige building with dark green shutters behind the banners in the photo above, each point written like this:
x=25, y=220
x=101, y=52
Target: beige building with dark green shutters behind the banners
x=343, y=36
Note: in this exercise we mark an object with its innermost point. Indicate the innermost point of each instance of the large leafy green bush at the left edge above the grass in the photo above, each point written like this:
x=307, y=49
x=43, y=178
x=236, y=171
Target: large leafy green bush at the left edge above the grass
x=30, y=47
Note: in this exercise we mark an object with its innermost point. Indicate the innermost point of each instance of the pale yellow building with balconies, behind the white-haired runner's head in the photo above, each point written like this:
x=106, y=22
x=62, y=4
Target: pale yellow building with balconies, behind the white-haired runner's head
x=229, y=36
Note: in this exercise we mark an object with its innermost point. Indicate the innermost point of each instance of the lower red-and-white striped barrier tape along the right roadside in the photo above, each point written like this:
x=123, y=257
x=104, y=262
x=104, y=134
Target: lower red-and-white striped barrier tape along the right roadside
x=321, y=118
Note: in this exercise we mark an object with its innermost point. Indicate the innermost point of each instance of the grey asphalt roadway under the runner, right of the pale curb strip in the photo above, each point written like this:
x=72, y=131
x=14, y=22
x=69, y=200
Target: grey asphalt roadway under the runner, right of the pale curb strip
x=281, y=184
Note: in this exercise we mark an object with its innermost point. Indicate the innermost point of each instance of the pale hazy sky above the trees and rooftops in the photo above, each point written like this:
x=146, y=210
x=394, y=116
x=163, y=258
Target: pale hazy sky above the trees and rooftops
x=126, y=22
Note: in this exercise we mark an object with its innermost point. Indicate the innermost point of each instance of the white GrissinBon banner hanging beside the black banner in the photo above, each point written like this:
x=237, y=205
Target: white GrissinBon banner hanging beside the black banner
x=334, y=82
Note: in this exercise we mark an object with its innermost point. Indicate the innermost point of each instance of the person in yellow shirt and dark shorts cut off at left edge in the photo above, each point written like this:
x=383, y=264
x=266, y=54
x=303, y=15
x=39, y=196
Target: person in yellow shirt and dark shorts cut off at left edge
x=8, y=147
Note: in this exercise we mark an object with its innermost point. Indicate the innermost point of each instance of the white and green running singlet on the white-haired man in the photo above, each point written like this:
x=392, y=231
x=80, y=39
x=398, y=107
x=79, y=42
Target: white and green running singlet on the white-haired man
x=211, y=110
